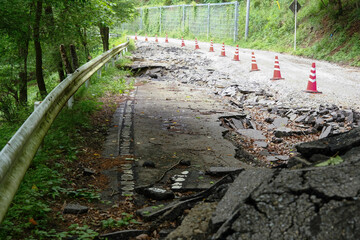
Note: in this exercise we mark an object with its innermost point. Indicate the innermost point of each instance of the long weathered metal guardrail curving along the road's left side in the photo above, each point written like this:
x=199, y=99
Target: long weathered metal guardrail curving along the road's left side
x=16, y=156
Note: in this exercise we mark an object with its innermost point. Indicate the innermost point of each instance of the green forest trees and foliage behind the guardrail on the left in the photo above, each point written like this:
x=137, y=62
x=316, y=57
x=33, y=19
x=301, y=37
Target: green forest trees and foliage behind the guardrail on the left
x=30, y=34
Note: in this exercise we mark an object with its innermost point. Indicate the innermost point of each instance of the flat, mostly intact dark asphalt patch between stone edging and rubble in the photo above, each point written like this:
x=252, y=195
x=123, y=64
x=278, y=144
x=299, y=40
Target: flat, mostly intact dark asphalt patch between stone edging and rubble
x=179, y=123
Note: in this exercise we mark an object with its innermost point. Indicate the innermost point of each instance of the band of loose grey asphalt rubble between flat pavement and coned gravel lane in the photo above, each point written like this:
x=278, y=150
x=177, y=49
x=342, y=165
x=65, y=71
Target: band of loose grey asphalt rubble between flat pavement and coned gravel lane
x=264, y=129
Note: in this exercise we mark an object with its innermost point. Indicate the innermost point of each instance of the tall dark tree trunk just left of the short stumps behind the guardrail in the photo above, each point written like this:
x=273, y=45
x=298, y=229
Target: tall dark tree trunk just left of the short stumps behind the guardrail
x=38, y=51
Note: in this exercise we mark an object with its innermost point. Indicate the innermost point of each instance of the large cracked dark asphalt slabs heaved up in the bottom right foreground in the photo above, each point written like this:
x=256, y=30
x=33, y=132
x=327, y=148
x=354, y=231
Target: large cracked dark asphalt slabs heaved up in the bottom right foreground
x=313, y=203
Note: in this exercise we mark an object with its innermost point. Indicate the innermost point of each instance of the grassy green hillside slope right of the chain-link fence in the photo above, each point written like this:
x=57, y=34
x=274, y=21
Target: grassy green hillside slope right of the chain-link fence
x=323, y=32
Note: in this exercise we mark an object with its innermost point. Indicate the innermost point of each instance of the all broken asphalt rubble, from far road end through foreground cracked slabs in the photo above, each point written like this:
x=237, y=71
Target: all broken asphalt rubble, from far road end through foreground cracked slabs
x=310, y=191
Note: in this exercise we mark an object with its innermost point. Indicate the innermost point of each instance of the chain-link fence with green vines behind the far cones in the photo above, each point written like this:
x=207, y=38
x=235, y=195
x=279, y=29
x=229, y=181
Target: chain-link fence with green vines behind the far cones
x=216, y=20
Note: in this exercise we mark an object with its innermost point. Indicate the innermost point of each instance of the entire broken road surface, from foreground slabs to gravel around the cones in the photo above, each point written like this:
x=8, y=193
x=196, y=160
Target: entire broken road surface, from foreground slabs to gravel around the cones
x=201, y=132
